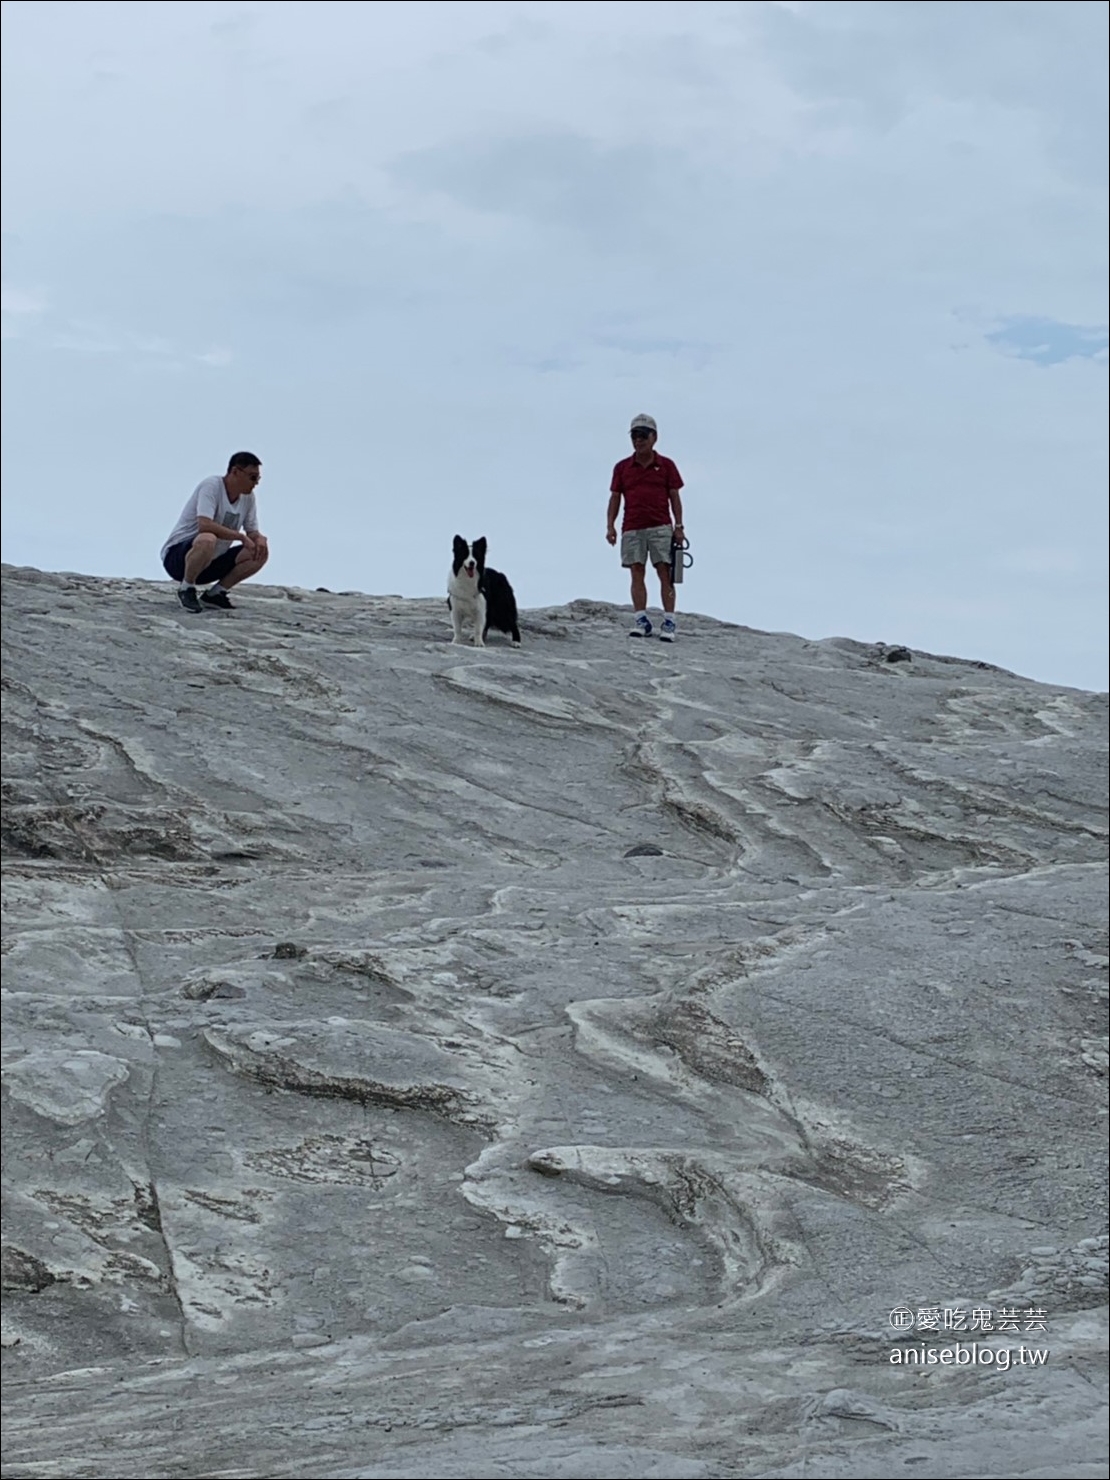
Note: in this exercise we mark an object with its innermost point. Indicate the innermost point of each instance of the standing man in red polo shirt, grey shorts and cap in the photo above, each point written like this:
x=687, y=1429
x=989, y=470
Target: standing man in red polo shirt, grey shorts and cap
x=649, y=485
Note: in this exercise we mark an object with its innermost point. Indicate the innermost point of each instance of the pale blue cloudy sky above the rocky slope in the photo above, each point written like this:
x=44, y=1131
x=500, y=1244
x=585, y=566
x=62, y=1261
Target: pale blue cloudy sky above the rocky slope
x=430, y=260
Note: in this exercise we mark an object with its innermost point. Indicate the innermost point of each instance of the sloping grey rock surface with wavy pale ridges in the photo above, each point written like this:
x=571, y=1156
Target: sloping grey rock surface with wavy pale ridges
x=439, y=1062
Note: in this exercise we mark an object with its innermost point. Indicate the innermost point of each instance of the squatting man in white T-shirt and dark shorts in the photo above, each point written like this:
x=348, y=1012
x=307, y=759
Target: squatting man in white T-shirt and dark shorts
x=203, y=548
